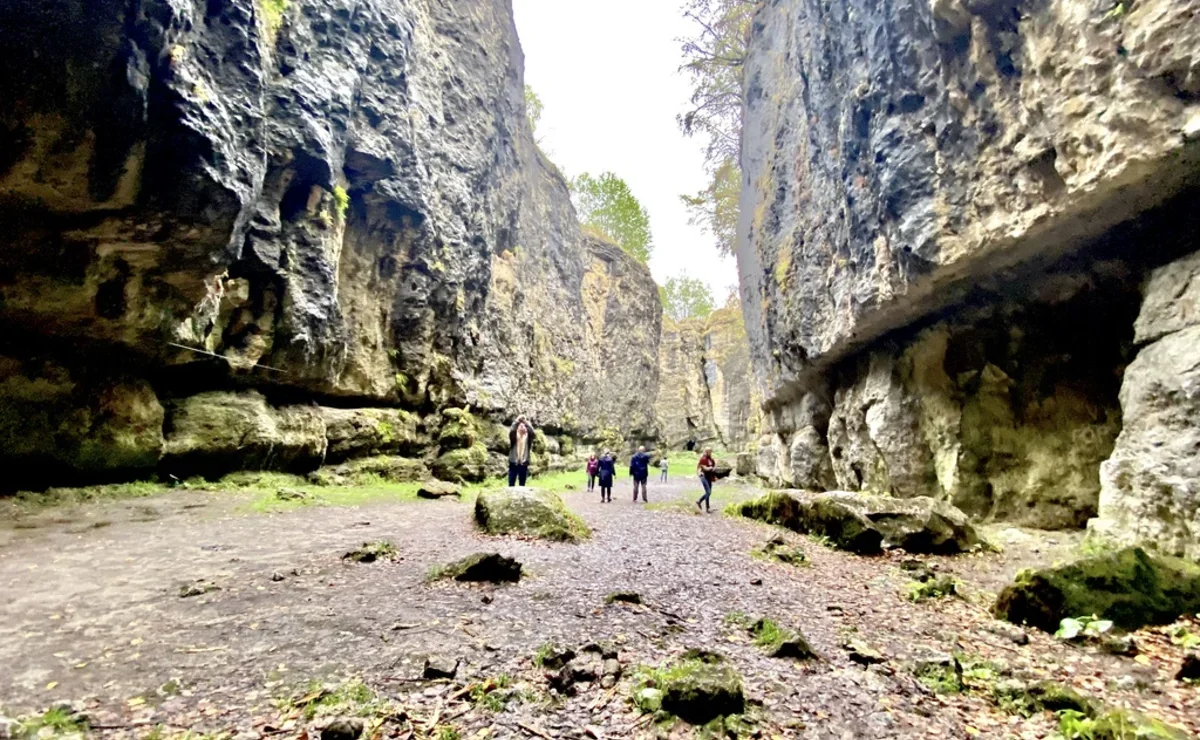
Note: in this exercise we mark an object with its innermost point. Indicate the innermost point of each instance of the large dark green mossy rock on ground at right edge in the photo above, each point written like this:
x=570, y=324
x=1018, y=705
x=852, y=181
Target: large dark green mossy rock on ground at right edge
x=1130, y=587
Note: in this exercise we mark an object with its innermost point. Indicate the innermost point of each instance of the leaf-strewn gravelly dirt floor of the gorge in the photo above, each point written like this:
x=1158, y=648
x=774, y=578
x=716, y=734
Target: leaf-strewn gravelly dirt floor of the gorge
x=279, y=635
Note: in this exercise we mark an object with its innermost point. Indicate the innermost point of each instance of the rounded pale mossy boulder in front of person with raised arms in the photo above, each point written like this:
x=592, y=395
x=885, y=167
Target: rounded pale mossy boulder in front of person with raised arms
x=529, y=513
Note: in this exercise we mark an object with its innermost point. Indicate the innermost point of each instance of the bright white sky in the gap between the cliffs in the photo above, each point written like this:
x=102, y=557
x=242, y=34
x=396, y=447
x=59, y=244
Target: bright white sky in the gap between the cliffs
x=608, y=75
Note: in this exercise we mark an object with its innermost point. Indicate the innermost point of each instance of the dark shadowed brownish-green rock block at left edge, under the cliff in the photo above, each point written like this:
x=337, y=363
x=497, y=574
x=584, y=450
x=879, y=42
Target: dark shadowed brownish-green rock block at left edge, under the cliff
x=57, y=425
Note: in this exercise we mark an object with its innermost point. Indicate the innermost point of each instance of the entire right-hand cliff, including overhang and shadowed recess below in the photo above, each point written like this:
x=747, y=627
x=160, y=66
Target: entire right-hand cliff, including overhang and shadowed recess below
x=950, y=214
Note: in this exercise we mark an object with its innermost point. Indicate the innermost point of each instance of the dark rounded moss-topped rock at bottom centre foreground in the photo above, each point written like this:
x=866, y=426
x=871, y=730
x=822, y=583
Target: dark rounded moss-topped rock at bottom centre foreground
x=701, y=688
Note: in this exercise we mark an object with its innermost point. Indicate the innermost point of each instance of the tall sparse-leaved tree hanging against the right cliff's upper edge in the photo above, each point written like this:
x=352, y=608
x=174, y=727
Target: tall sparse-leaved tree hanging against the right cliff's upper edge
x=715, y=61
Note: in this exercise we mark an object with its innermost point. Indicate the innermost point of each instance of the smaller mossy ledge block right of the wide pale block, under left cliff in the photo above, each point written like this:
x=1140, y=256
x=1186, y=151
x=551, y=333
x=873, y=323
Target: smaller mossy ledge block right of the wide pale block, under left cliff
x=353, y=434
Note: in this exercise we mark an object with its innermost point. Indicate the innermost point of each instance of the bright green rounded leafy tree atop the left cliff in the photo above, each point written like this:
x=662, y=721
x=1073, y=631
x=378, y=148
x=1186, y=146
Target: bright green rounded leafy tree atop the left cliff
x=609, y=207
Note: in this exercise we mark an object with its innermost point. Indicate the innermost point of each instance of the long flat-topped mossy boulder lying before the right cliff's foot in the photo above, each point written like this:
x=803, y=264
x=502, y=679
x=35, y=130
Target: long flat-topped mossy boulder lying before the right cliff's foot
x=866, y=524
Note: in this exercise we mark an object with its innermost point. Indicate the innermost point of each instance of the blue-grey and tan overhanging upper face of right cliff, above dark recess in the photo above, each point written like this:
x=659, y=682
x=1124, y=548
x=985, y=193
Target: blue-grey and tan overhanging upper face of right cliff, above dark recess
x=897, y=153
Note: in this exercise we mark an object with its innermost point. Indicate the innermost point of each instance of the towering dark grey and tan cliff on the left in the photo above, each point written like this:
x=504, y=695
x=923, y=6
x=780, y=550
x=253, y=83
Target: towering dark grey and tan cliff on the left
x=331, y=201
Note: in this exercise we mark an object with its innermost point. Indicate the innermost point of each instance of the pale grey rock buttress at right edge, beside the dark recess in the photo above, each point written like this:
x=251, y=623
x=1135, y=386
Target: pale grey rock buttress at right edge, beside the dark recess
x=1150, y=488
